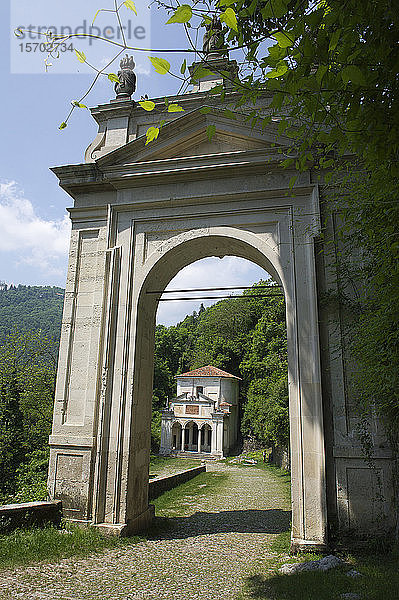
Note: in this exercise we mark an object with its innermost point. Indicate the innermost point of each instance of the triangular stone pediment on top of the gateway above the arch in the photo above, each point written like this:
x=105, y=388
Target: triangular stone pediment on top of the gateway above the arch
x=187, y=136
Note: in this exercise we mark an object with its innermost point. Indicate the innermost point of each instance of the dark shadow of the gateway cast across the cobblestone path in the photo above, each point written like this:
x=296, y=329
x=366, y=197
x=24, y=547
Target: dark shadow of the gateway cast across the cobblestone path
x=204, y=523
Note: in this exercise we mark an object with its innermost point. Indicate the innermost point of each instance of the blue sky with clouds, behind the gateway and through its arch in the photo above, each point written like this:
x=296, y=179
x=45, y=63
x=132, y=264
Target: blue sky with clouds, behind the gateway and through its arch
x=34, y=228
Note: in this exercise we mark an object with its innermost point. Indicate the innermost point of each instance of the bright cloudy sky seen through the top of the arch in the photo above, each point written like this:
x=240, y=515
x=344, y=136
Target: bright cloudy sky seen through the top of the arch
x=205, y=273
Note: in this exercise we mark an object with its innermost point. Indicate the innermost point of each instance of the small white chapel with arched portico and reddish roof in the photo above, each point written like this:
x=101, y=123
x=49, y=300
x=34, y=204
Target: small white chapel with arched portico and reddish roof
x=203, y=418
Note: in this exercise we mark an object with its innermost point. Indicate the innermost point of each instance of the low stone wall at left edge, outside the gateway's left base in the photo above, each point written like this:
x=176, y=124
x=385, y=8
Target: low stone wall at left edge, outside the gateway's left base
x=30, y=514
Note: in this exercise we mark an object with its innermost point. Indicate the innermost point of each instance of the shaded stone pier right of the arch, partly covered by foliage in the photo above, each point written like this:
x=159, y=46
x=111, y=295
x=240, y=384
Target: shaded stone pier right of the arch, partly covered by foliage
x=360, y=491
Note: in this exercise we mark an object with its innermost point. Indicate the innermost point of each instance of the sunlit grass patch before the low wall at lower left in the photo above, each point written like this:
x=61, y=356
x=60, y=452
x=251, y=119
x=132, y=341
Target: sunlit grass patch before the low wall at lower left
x=28, y=546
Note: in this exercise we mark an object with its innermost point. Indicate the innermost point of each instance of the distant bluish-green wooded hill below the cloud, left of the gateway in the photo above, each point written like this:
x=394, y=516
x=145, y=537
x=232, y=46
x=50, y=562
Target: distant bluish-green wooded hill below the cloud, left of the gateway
x=31, y=308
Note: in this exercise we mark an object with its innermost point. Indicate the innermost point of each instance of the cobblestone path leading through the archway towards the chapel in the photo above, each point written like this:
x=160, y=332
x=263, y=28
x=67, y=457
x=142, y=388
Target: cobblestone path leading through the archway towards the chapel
x=219, y=539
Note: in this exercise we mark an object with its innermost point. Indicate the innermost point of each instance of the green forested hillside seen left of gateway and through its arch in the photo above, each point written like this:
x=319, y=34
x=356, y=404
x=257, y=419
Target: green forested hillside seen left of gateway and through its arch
x=245, y=335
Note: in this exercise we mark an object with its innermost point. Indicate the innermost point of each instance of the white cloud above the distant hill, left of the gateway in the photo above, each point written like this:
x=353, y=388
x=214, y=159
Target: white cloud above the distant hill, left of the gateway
x=26, y=238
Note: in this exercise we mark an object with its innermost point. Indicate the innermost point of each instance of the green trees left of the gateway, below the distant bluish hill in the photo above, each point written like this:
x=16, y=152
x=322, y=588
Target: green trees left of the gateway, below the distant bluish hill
x=27, y=378
